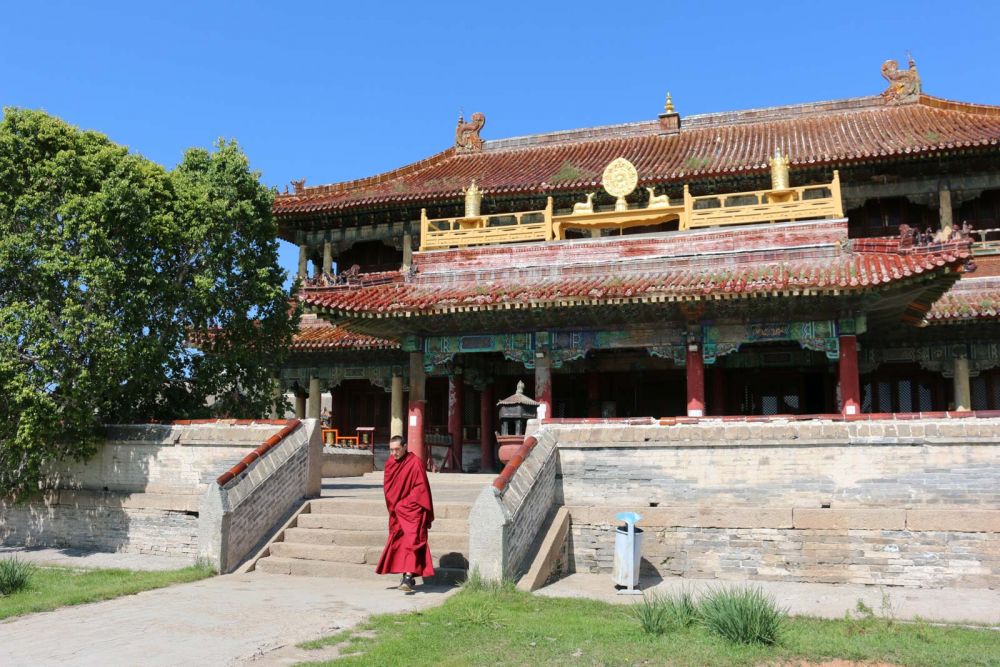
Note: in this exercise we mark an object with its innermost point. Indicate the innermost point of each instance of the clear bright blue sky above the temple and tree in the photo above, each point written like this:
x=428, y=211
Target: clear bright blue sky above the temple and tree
x=333, y=91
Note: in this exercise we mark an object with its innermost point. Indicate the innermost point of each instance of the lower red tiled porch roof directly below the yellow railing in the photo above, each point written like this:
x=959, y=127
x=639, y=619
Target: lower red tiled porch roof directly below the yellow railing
x=790, y=259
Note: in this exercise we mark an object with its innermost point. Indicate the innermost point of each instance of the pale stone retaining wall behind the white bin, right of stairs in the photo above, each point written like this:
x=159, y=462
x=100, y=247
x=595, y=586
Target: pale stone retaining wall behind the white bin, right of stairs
x=915, y=503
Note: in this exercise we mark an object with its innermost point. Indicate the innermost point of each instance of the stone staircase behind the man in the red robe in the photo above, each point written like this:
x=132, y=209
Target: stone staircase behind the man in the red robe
x=343, y=537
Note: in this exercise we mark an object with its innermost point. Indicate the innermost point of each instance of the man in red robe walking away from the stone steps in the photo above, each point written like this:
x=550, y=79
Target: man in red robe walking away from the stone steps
x=411, y=511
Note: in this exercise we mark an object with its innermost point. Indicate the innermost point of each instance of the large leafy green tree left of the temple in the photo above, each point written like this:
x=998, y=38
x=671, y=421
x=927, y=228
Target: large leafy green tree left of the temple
x=127, y=292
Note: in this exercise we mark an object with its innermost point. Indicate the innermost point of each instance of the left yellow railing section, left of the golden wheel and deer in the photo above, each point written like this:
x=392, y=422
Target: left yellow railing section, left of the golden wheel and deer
x=486, y=229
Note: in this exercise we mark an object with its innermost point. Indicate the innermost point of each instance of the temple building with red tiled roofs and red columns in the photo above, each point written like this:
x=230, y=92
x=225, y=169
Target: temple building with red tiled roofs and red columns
x=834, y=258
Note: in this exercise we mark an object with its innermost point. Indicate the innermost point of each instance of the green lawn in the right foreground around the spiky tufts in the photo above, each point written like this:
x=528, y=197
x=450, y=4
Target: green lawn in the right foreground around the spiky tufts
x=513, y=628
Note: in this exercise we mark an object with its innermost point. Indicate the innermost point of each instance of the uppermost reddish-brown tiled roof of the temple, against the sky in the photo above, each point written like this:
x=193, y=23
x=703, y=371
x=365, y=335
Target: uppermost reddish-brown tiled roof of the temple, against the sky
x=826, y=133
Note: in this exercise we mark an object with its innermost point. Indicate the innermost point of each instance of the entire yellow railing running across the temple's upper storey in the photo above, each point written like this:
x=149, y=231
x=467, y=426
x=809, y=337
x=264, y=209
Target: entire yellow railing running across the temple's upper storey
x=806, y=202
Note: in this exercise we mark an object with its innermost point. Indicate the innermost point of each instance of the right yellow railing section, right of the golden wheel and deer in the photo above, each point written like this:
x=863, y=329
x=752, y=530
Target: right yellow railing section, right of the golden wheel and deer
x=741, y=208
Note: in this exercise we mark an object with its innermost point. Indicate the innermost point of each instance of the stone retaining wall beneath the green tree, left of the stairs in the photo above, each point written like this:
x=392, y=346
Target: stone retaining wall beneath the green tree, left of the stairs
x=141, y=493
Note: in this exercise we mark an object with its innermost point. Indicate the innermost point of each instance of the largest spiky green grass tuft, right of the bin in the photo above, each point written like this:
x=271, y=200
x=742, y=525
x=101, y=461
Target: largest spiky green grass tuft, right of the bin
x=742, y=616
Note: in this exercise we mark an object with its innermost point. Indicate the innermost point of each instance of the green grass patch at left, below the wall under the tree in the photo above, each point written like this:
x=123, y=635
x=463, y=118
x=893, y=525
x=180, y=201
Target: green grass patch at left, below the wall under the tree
x=54, y=587
